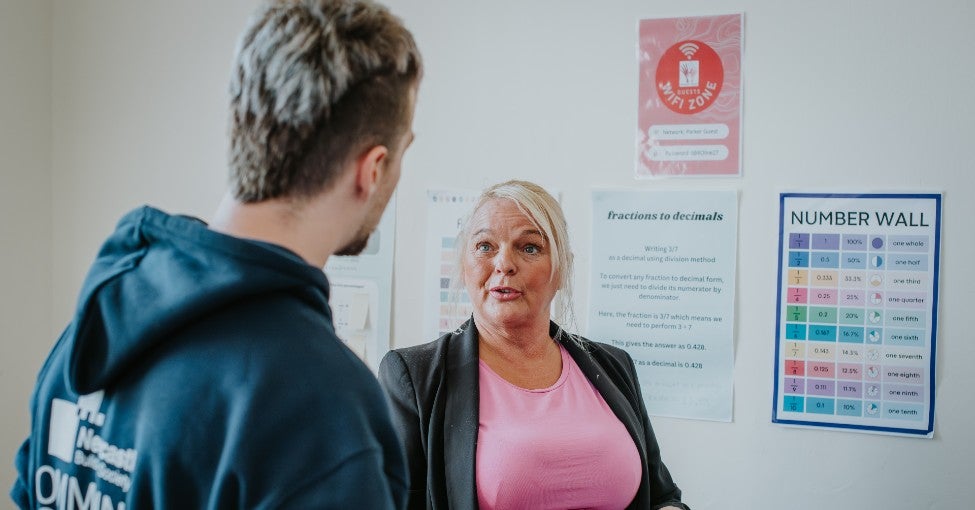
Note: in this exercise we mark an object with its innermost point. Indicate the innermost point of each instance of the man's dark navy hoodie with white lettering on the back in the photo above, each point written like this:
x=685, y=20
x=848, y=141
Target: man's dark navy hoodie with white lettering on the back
x=203, y=371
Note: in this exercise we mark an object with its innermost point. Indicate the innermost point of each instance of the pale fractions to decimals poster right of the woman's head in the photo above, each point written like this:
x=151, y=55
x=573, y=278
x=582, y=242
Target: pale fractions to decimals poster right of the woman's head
x=663, y=288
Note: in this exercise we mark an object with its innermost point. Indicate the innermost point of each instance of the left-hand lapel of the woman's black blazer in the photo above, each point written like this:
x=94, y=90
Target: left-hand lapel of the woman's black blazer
x=461, y=418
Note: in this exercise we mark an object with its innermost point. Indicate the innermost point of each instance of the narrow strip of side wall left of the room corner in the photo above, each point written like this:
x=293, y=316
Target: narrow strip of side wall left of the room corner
x=25, y=215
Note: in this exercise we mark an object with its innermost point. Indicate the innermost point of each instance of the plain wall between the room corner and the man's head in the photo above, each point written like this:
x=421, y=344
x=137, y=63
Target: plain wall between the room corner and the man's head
x=140, y=102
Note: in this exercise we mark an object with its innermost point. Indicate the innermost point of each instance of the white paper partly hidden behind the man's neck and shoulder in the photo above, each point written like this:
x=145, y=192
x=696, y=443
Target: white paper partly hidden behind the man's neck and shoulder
x=361, y=292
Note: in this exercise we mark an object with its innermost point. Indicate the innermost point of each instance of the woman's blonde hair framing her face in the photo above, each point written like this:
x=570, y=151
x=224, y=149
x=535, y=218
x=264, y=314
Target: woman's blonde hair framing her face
x=545, y=213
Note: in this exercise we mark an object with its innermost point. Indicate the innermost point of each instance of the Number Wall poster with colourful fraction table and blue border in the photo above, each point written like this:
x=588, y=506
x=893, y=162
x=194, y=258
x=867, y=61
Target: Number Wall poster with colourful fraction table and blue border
x=856, y=312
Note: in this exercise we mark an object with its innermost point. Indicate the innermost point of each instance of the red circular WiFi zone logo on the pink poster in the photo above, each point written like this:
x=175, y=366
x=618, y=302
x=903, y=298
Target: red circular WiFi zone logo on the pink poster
x=689, y=77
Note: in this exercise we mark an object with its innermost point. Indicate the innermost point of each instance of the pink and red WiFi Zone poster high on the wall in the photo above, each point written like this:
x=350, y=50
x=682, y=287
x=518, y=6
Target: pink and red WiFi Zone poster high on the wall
x=689, y=115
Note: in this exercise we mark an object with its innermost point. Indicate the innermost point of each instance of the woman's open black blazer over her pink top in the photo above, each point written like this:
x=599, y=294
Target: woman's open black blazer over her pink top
x=434, y=395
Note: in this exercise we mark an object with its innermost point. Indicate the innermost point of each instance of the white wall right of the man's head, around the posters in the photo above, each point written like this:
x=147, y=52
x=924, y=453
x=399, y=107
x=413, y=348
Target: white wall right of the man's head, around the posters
x=860, y=96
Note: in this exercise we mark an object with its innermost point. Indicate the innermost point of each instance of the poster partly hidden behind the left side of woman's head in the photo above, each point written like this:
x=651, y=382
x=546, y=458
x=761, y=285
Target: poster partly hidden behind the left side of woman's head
x=446, y=304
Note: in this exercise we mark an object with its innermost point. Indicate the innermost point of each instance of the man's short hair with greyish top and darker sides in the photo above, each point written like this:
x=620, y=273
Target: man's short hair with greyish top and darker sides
x=315, y=83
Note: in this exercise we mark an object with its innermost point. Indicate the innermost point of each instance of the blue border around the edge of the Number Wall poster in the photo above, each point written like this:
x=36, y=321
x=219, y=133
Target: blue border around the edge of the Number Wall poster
x=937, y=197
